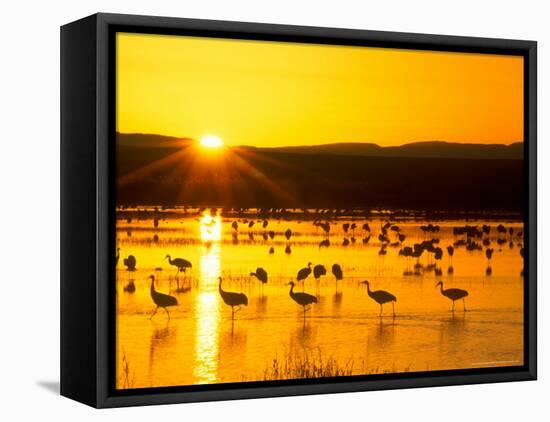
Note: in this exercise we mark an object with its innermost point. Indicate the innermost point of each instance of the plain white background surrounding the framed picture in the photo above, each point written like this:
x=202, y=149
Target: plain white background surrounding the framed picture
x=29, y=230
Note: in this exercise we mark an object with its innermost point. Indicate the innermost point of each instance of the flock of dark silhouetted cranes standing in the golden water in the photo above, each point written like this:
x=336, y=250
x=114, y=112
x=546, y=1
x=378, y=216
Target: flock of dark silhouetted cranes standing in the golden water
x=472, y=238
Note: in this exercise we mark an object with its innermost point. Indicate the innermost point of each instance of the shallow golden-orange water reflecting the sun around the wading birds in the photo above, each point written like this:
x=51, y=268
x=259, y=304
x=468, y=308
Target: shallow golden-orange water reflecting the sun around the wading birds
x=201, y=343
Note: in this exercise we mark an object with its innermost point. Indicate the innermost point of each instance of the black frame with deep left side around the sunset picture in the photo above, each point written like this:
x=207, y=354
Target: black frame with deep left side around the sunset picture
x=87, y=209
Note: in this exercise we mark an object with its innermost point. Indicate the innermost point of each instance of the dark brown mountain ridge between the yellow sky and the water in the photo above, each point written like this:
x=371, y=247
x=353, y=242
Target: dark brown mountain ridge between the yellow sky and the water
x=154, y=169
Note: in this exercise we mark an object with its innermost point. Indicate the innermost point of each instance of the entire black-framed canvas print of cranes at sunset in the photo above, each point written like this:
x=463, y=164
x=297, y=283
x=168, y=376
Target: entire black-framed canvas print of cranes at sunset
x=254, y=210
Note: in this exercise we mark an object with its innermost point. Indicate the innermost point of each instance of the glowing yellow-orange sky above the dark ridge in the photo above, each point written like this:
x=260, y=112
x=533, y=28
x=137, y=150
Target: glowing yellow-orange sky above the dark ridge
x=274, y=94
